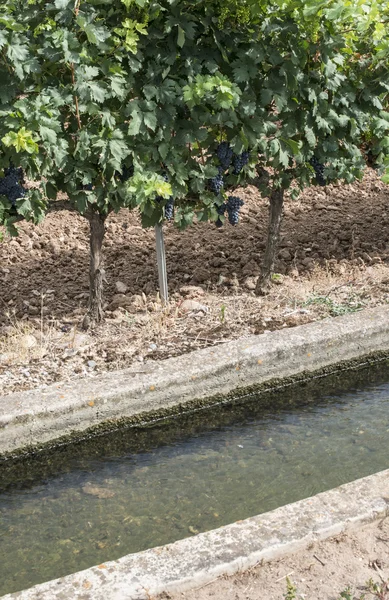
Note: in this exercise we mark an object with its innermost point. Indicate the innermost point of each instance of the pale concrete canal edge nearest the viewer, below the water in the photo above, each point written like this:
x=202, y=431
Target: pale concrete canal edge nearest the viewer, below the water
x=198, y=560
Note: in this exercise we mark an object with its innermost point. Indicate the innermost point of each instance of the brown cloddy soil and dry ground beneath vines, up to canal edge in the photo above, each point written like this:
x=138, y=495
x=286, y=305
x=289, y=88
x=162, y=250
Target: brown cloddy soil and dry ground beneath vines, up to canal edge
x=333, y=259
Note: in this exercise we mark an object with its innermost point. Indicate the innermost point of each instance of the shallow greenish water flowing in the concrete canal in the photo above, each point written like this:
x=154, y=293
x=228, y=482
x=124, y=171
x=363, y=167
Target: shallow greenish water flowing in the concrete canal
x=135, y=489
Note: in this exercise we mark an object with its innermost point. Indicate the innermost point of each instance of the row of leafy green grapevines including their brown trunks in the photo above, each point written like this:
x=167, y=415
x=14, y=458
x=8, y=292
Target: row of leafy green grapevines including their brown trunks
x=124, y=104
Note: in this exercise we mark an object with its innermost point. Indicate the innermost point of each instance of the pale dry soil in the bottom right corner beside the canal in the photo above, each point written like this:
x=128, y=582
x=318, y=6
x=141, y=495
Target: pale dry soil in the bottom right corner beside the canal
x=343, y=564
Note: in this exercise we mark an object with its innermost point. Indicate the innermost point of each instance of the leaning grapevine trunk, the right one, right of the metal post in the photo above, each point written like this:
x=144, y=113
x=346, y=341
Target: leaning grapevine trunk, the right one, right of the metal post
x=273, y=237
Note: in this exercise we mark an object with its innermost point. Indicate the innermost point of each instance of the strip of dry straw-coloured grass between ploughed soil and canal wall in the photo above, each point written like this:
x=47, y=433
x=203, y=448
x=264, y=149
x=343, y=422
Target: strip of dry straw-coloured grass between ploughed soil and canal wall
x=52, y=351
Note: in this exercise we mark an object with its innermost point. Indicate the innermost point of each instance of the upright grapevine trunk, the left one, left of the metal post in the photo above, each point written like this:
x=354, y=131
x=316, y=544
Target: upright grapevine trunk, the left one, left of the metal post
x=96, y=271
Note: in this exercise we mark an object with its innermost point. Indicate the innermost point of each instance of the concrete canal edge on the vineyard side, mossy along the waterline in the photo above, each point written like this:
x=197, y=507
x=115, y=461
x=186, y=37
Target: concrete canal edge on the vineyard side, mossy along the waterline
x=156, y=389
